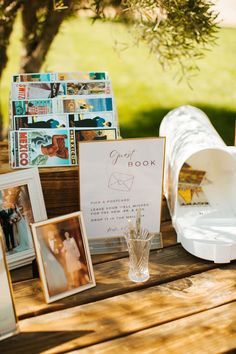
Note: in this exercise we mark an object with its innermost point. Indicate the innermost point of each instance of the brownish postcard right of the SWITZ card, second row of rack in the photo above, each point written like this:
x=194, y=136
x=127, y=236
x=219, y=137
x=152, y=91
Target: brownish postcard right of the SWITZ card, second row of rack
x=88, y=88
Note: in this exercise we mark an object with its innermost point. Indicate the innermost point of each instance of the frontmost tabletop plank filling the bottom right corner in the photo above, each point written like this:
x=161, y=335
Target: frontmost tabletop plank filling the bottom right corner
x=210, y=332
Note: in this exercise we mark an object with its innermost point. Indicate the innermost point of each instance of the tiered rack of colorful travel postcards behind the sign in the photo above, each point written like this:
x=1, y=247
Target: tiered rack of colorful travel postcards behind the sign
x=52, y=112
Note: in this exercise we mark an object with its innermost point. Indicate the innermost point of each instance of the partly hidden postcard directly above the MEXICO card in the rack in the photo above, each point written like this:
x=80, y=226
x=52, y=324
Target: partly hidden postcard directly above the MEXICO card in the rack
x=50, y=121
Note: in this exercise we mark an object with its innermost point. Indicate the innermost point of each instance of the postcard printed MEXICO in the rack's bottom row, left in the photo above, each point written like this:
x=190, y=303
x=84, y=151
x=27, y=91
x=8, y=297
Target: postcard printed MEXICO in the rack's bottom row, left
x=44, y=147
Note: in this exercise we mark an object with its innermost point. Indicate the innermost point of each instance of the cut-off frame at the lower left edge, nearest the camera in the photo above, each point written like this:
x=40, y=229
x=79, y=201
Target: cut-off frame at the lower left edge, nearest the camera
x=8, y=319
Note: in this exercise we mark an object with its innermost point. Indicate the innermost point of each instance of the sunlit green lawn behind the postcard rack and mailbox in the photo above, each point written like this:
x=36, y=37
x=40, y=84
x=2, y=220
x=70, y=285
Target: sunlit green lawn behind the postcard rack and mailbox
x=144, y=92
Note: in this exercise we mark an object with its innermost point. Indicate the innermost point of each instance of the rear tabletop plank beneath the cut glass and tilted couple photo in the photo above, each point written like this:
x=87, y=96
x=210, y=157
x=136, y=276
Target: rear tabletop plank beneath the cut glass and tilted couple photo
x=111, y=277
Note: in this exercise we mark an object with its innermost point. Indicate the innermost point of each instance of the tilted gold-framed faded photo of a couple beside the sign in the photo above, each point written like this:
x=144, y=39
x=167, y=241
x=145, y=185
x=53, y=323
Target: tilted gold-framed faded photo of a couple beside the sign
x=63, y=256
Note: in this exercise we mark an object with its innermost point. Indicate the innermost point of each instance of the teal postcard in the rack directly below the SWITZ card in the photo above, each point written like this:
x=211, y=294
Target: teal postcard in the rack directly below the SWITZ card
x=32, y=107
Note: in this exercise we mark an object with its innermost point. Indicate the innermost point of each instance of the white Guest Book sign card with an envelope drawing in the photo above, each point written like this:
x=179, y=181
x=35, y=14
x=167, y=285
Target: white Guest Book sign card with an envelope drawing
x=116, y=179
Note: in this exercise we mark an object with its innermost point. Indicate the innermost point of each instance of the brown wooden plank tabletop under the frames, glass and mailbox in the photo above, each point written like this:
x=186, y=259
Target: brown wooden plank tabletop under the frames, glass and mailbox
x=187, y=306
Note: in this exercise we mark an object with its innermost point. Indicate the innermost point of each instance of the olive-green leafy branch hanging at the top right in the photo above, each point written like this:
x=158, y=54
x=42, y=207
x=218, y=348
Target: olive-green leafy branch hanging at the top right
x=176, y=31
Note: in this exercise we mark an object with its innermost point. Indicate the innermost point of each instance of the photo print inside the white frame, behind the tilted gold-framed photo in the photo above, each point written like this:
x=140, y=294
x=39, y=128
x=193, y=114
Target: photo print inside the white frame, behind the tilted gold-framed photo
x=15, y=217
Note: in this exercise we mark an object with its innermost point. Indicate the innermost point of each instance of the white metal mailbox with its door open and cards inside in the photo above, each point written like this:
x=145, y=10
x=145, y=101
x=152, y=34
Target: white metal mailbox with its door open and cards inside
x=199, y=185
